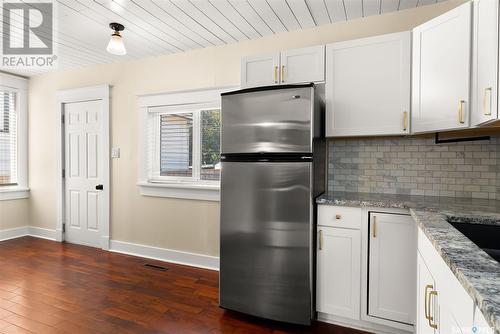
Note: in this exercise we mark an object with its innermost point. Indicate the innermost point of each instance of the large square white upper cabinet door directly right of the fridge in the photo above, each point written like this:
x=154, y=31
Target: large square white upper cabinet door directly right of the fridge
x=368, y=86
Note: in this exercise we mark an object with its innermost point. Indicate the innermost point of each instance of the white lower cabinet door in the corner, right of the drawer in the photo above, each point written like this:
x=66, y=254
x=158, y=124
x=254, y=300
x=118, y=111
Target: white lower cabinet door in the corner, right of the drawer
x=391, y=267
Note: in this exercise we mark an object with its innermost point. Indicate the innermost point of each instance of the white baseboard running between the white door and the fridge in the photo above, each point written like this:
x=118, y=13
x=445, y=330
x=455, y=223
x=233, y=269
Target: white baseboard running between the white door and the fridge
x=167, y=255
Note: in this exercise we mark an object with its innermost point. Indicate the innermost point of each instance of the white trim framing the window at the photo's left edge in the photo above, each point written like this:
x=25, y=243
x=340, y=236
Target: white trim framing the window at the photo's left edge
x=20, y=86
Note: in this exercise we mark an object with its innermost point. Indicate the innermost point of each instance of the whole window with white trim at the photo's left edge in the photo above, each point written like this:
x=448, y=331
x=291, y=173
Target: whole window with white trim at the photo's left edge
x=13, y=137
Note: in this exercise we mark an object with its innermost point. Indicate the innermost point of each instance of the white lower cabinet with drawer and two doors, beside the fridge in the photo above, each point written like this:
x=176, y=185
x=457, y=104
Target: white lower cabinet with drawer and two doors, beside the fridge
x=366, y=280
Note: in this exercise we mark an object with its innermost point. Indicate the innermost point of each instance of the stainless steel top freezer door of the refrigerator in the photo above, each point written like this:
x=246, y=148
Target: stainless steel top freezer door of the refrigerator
x=268, y=121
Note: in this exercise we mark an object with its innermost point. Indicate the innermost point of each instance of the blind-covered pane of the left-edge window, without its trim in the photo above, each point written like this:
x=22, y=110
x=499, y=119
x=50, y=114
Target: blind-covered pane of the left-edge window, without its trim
x=8, y=138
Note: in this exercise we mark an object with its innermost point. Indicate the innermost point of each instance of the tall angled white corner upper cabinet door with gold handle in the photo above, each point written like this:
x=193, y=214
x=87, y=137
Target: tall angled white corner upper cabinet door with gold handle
x=441, y=72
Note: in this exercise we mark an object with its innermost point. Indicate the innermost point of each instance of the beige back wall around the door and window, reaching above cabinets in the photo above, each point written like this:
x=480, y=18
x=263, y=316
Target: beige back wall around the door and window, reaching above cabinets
x=169, y=223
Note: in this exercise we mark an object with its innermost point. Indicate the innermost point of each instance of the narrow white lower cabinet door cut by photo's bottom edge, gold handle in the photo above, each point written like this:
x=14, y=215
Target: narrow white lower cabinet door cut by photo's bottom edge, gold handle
x=426, y=307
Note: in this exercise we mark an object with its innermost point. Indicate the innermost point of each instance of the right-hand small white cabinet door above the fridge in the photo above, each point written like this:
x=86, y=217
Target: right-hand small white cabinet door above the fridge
x=303, y=65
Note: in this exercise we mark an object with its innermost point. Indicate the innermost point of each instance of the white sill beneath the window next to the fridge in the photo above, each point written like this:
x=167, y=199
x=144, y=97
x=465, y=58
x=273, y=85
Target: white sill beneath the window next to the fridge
x=204, y=192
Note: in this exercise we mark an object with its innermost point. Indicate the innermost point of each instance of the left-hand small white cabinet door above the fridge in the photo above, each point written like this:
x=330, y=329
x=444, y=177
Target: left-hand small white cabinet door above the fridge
x=261, y=70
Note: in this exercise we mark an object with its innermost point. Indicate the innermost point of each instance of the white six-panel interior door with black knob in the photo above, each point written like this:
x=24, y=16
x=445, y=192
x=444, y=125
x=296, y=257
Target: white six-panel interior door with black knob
x=85, y=137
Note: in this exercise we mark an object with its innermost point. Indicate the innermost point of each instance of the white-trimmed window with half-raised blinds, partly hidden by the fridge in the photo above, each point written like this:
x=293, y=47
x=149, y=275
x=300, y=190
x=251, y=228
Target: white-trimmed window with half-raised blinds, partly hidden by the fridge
x=181, y=145
